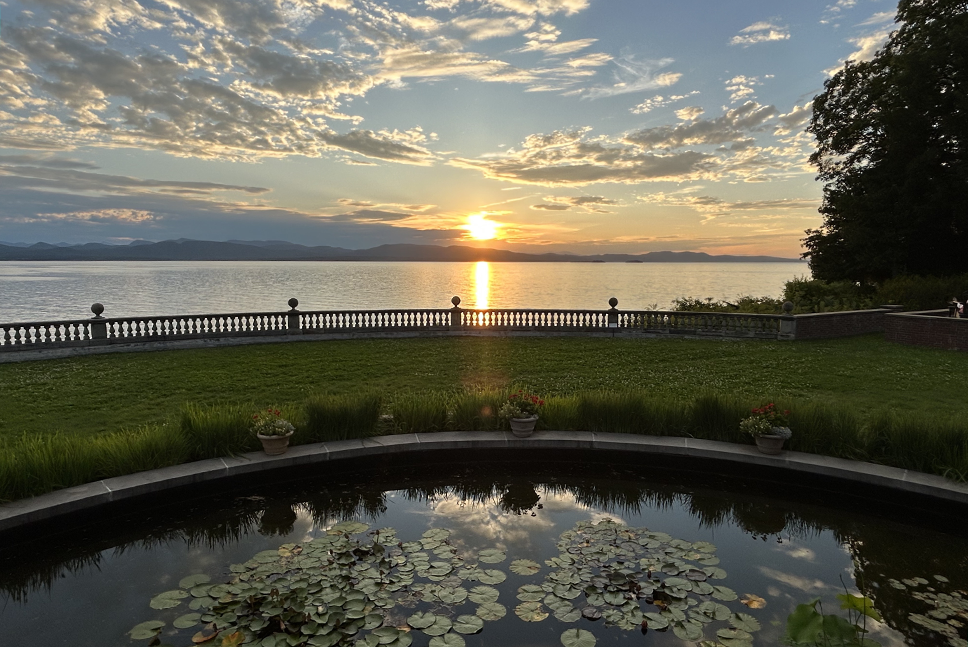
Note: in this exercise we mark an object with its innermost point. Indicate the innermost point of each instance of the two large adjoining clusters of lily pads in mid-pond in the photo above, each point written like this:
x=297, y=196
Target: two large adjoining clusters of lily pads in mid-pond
x=346, y=589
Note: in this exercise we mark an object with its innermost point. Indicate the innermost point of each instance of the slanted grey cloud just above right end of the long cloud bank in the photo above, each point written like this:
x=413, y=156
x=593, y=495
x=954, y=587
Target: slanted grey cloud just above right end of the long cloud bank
x=734, y=126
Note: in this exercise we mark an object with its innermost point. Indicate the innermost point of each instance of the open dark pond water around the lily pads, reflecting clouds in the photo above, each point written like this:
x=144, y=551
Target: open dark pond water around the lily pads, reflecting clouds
x=90, y=585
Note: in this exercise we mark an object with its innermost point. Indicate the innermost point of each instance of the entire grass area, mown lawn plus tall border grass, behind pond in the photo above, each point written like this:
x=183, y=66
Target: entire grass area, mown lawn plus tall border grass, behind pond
x=65, y=422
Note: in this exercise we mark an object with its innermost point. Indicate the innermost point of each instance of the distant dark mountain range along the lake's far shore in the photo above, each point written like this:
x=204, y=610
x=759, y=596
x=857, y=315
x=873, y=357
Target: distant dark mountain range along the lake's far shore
x=277, y=250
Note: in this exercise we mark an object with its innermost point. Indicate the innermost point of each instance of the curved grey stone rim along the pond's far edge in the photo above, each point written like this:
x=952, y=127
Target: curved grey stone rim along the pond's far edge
x=83, y=497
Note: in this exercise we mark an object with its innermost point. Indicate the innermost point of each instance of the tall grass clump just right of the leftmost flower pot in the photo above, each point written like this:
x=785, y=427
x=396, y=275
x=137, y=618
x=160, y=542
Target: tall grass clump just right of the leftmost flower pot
x=340, y=417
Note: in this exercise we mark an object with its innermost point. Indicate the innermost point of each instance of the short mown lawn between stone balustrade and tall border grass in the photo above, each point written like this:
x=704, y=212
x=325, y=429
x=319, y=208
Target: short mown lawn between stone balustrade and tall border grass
x=105, y=393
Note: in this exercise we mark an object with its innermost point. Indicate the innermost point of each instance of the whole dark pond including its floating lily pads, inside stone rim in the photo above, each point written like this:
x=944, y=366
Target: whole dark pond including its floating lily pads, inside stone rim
x=485, y=555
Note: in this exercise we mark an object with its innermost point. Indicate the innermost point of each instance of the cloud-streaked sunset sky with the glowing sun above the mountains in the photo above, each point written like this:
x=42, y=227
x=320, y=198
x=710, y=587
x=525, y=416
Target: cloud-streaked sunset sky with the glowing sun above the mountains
x=584, y=126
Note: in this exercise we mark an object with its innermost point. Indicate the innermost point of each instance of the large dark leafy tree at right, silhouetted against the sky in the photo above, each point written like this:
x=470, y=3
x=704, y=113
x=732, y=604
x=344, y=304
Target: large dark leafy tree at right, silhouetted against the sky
x=892, y=135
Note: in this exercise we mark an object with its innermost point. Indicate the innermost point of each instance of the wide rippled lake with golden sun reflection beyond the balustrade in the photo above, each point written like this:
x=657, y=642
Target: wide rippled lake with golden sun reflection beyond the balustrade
x=33, y=291
